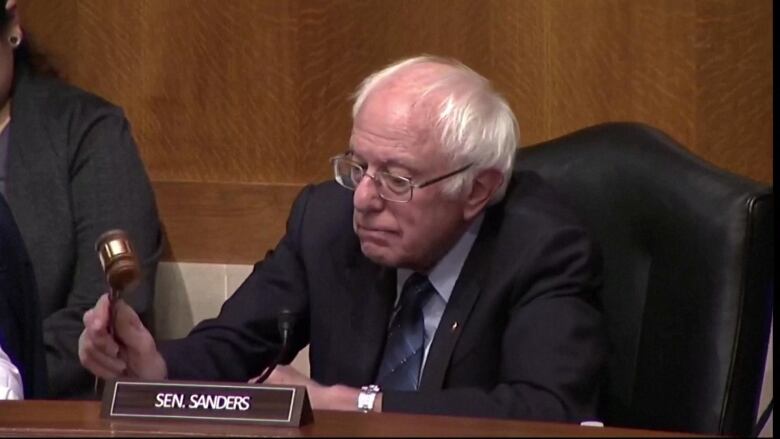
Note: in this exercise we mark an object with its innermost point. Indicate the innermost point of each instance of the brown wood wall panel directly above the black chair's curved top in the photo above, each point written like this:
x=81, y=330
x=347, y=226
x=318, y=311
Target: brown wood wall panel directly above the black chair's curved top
x=609, y=65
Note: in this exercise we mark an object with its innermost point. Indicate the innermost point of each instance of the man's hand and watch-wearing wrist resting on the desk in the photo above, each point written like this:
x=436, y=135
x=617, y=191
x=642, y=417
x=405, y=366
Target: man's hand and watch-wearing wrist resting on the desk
x=336, y=397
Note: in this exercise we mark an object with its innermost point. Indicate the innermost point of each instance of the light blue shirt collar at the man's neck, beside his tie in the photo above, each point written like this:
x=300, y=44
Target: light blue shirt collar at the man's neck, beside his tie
x=446, y=272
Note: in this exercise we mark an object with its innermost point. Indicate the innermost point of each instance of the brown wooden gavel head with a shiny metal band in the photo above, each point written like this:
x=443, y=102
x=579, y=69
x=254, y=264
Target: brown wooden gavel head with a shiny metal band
x=118, y=260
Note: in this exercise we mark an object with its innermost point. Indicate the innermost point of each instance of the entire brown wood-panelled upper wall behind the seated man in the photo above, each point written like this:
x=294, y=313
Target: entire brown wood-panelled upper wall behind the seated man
x=258, y=91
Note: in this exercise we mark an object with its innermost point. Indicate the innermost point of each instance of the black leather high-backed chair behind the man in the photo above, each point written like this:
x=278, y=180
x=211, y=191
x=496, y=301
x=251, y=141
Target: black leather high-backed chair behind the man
x=689, y=275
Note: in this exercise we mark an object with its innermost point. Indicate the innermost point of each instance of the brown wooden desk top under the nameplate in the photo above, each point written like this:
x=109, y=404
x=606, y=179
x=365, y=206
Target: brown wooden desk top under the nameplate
x=82, y=418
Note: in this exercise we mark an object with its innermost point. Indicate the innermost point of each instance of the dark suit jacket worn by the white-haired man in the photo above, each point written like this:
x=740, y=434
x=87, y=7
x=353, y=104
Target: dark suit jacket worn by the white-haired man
x=530, y=342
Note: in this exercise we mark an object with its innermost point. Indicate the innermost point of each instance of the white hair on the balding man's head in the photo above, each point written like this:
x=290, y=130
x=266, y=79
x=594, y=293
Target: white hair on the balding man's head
x=472, y=122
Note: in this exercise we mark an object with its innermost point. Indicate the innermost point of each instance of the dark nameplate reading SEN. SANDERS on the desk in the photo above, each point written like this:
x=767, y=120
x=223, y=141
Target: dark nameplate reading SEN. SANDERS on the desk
x=207, y=401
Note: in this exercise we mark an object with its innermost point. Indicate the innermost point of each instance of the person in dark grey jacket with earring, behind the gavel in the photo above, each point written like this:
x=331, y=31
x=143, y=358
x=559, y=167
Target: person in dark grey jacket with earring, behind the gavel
x=69, y=170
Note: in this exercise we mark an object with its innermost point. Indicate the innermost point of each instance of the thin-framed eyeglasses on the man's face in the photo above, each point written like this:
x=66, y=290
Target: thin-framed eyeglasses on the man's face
x=349, y=174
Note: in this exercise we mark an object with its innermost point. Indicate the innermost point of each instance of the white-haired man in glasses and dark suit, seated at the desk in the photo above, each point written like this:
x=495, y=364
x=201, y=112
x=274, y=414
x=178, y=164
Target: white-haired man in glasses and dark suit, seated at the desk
x=444, y=283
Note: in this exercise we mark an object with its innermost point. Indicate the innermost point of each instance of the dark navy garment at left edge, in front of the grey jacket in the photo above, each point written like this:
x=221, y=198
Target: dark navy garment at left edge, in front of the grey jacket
x=20, y=321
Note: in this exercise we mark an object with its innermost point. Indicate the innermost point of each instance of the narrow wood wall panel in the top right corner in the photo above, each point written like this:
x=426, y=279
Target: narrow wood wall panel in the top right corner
x=734, y=118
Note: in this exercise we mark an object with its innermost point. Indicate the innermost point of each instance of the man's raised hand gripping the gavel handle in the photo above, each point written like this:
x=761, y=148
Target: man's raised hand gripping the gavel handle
x=131, y=352
